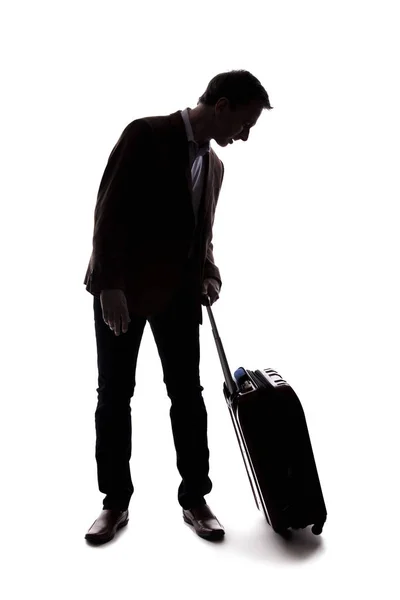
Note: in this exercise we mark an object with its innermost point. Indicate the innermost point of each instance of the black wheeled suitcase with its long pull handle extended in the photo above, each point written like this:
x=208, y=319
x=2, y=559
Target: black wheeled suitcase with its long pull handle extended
x=273, y=437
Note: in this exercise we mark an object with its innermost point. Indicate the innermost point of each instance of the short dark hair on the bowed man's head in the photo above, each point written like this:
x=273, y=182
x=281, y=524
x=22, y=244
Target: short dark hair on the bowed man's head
x=241, y=88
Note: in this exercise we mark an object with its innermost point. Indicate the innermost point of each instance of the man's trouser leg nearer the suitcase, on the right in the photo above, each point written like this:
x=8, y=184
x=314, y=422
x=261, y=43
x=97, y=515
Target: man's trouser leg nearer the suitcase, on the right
x=176, y=332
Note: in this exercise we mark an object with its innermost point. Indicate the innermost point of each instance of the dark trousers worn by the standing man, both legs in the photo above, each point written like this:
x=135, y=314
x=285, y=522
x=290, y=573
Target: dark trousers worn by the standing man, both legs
x=176, y=333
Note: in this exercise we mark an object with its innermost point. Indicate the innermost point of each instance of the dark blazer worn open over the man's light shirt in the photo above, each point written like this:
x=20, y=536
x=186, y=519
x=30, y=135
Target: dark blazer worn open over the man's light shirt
x=144, y=220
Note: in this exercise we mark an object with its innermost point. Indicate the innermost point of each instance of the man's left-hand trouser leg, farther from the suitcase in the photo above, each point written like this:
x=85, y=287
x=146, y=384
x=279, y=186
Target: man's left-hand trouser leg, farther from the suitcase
x=116, y=360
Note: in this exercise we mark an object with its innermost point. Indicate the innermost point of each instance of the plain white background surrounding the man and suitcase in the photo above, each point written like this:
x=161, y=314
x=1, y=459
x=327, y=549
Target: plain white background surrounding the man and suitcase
x=306, y=238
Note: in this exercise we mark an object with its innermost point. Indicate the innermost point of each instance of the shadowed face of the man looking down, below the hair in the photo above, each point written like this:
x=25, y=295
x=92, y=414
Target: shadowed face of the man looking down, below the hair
x=234, y=125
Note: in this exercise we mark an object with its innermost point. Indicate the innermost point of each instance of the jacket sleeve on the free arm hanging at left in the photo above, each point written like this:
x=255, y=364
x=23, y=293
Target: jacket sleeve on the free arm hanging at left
x=114, y=213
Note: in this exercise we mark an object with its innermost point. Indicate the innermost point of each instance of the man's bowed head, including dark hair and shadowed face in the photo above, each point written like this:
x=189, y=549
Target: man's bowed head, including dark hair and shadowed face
x=230, y=106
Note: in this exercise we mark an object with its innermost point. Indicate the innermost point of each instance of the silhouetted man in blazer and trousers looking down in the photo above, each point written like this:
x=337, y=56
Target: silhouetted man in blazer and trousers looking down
x=153, y=260
